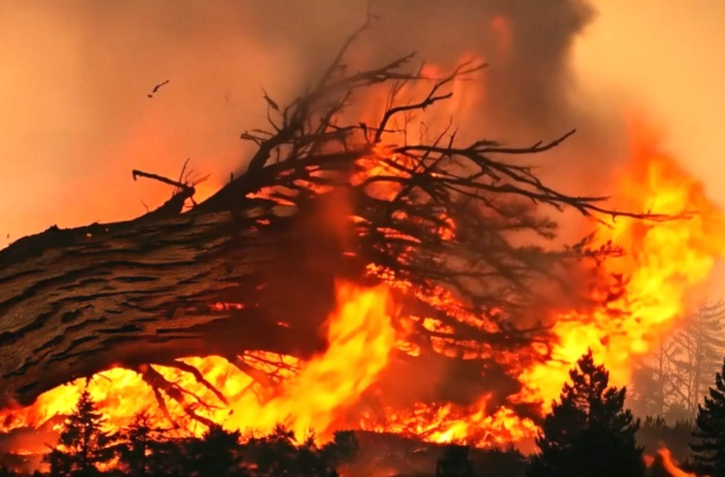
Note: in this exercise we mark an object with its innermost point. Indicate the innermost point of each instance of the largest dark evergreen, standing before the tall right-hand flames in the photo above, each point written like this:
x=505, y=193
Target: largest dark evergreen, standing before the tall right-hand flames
x=589, y=432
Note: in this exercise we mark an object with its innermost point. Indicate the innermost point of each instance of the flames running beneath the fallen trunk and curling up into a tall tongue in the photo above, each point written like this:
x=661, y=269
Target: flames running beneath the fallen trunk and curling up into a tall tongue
x=361, y=337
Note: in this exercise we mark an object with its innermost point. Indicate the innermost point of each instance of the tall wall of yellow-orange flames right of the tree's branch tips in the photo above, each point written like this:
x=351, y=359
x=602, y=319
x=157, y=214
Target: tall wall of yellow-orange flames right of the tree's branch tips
x=662, y=265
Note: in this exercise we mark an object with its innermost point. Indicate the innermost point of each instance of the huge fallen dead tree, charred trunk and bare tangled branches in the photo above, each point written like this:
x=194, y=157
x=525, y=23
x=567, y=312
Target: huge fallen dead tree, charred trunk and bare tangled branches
x=253, y=266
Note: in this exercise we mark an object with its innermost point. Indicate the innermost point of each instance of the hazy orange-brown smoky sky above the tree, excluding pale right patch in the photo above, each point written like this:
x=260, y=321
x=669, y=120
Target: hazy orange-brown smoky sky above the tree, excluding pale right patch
x=78, y=119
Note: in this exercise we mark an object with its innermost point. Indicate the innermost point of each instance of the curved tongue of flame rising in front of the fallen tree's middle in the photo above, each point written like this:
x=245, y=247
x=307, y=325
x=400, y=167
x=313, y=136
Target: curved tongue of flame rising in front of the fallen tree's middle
x=361, y=337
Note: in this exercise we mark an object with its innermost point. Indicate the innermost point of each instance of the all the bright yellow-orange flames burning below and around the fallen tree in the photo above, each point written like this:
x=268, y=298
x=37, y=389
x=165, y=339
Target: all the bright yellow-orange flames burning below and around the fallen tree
x=662, y=264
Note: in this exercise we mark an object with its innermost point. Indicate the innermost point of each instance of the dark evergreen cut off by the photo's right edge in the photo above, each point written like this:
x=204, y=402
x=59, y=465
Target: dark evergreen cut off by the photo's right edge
x=709, y=450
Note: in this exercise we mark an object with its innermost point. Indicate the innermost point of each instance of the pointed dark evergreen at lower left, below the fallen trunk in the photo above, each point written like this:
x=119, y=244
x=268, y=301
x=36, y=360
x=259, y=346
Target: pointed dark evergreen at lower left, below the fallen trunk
x=82, y=443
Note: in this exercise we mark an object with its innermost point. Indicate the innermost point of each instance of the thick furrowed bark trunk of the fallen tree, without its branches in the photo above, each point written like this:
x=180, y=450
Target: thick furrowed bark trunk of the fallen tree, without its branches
x=78, y=301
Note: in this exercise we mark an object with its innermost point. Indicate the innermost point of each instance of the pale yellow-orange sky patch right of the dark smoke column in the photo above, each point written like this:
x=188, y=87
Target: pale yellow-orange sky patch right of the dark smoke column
x=667, y=57
